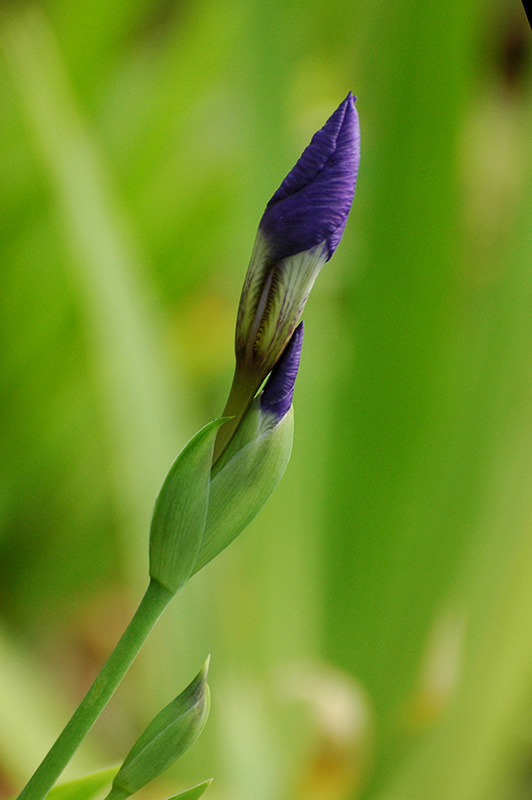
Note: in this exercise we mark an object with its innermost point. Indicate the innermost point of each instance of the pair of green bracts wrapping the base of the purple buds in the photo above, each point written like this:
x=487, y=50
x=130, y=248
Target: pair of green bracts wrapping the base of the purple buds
x=200, y=511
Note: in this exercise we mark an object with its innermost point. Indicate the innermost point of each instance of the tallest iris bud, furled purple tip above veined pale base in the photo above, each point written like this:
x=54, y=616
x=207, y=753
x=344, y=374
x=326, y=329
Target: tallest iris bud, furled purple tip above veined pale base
x=299, y=231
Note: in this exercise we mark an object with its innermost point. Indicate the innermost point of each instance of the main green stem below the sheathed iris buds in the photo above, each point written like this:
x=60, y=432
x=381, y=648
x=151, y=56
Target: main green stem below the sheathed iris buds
x=88, y=711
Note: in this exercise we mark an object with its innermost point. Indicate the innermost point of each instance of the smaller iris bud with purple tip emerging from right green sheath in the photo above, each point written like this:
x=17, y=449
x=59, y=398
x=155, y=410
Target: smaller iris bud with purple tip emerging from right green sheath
x=255, y=460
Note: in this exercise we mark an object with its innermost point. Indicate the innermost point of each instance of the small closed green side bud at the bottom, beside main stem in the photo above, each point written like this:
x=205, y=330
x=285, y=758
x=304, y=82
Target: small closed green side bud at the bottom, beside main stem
x=165, y=739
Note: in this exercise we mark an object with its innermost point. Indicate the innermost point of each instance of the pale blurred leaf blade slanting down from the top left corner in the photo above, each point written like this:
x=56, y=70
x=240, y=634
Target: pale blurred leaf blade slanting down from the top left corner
x=120, y=313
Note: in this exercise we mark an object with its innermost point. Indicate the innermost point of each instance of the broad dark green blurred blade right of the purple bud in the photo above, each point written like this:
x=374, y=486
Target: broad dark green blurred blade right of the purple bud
x=392, y=440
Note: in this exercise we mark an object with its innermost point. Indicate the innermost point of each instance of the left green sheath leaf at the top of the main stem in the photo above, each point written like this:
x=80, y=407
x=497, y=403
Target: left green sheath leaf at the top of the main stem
x=181, y=510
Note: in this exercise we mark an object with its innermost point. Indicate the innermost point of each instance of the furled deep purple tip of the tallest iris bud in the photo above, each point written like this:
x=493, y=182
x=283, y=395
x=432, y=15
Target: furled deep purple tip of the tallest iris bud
x=313, y=202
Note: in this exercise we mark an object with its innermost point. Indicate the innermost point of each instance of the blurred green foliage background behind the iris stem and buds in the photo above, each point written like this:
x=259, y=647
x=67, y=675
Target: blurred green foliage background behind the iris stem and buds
x=371, y=633
